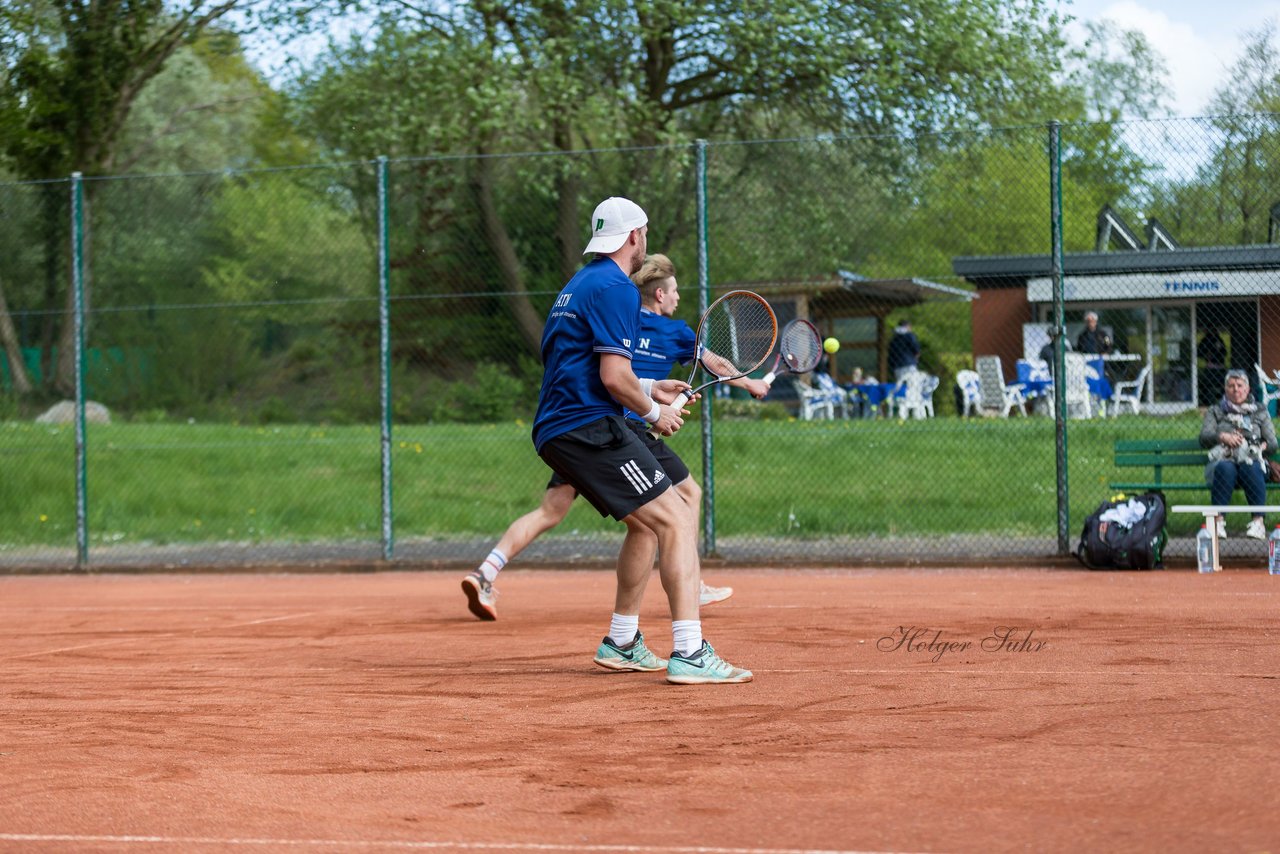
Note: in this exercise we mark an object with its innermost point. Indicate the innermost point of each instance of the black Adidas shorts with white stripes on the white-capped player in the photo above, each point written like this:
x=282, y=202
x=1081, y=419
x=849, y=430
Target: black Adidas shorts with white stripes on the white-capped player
x=614, y=464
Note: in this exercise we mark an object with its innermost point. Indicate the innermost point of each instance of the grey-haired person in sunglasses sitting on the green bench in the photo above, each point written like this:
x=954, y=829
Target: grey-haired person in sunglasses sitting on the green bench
x=1240, y=435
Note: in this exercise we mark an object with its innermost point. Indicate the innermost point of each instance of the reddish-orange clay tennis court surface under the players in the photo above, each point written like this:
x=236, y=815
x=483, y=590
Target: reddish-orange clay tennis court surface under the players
x=371, y=713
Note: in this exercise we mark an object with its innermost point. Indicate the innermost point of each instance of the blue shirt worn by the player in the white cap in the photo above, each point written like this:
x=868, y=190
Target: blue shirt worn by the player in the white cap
x=597, y=313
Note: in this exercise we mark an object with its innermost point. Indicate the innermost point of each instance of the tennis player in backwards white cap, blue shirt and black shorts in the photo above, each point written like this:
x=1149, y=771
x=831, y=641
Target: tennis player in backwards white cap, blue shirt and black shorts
x=580, y=432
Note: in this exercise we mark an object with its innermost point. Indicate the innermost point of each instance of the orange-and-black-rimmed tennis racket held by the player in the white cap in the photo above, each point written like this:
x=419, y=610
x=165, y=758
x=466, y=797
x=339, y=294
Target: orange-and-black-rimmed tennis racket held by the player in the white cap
x=735, y=336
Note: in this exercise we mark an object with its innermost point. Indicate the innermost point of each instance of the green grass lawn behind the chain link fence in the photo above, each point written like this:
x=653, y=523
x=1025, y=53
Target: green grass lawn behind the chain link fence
x=184, y=483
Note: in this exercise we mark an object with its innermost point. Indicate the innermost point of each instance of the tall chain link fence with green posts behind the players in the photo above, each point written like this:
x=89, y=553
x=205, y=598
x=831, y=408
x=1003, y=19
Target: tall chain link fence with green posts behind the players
x=340, y=364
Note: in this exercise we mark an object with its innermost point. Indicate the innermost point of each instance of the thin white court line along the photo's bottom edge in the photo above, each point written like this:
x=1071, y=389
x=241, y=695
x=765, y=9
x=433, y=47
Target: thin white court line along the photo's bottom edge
x=413, y=844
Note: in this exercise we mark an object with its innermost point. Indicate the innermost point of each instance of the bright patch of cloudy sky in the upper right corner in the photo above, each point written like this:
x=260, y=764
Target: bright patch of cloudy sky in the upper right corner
x=1200, y=40
